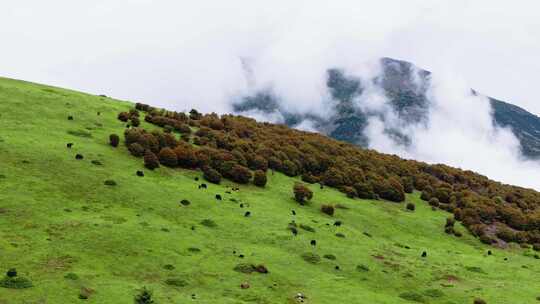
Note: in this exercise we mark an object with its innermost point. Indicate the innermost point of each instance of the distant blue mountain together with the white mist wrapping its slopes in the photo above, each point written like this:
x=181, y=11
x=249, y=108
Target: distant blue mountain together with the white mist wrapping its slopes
x=394, y=107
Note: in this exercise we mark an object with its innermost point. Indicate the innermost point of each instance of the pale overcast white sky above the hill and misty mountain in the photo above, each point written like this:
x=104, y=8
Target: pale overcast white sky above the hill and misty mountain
x=185, y=54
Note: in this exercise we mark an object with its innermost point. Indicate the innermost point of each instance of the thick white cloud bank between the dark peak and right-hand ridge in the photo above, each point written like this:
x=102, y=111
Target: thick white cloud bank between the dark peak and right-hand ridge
x=460, y=133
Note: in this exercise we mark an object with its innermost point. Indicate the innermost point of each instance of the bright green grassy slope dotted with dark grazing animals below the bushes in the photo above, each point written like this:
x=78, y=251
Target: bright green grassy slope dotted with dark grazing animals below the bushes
x=69, y=233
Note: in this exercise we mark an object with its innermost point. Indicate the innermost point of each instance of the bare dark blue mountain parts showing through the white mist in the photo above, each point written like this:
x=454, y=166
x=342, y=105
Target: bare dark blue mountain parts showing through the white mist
x=405, y=88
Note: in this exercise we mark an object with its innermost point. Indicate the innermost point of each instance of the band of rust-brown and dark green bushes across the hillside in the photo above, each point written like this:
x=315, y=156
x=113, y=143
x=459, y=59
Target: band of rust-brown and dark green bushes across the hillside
x=231, y=147
